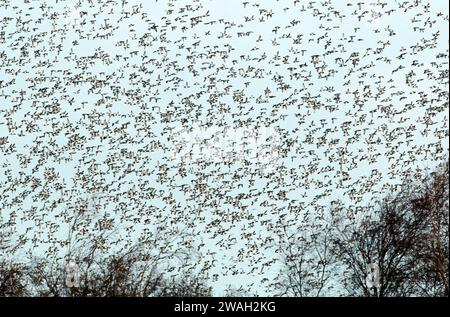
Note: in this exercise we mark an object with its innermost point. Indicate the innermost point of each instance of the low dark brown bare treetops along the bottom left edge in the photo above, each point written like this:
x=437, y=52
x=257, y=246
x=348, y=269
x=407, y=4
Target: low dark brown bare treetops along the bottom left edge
x=131, y=273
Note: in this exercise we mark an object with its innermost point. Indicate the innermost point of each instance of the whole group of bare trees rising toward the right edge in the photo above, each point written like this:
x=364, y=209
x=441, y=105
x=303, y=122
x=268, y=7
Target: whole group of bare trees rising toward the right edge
x=400, y=249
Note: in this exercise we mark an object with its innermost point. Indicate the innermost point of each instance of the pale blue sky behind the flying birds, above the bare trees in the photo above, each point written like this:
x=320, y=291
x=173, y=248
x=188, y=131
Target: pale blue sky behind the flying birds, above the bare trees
x=302, y=174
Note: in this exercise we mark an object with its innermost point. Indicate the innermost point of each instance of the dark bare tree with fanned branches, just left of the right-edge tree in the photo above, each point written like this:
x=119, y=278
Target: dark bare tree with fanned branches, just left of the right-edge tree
x=384, y=243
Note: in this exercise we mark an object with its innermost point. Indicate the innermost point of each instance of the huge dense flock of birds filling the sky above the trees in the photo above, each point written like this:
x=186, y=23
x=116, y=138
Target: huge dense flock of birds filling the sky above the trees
x=91, y=93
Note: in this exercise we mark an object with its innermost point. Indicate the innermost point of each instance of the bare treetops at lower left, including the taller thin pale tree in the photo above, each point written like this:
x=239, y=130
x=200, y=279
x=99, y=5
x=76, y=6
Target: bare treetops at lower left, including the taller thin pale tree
x=159, y=266
